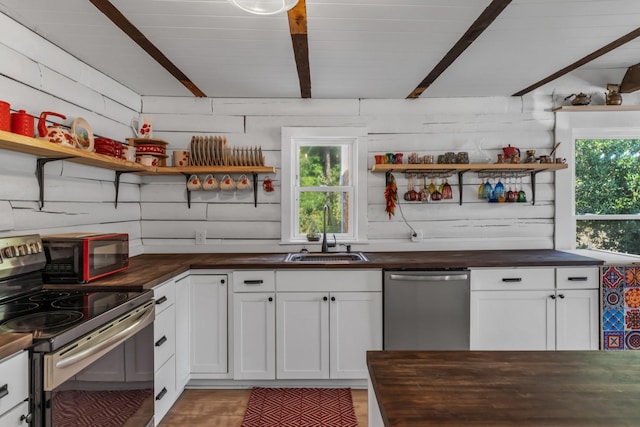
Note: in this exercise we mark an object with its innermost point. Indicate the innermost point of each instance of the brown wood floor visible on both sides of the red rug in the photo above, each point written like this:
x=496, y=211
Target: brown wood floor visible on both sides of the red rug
x=225, y=408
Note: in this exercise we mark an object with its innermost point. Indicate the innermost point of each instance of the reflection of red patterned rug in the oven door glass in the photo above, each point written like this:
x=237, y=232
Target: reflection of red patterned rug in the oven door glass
x=78, y=408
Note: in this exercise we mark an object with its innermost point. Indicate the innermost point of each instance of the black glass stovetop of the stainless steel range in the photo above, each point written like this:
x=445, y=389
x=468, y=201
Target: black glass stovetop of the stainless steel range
x=47, y=313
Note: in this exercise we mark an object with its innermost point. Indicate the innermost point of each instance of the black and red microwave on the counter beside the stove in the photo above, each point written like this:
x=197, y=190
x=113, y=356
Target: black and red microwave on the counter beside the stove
x=83, y=257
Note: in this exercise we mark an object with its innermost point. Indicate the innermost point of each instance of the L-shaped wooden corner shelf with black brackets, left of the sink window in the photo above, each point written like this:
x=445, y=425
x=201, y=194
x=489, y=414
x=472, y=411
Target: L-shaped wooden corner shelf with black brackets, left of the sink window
x=48, y=152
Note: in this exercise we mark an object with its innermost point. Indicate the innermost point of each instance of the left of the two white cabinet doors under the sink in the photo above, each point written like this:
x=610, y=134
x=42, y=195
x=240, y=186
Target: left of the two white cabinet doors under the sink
x=302, y=335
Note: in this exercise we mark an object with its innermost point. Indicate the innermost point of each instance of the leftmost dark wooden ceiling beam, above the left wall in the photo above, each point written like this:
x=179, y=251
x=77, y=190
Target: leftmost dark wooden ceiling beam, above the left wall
x=111, y=12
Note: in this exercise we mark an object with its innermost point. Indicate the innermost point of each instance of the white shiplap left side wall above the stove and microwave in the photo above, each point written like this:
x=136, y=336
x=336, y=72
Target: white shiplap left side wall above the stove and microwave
x=37, y=76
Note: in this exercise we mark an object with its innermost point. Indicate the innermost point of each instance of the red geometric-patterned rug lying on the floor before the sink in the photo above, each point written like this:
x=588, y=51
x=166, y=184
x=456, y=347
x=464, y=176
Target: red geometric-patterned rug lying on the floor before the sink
x=300, y=407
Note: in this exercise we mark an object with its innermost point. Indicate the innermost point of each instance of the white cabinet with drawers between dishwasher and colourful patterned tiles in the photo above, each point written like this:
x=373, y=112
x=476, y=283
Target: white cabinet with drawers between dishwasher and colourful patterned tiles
x=534, y=309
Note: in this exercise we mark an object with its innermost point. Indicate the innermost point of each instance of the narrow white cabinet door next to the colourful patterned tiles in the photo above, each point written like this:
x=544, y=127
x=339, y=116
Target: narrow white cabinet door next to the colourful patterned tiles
x=577, y=319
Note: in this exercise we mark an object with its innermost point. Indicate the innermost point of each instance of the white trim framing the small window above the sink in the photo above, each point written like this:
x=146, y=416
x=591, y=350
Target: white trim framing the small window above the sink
x=288, y=137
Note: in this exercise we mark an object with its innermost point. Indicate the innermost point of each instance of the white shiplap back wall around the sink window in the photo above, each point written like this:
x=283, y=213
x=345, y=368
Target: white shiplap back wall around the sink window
x=480, y=126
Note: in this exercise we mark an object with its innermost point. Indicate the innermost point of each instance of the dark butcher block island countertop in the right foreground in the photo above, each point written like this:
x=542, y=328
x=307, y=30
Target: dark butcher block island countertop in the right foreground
x=484, y=388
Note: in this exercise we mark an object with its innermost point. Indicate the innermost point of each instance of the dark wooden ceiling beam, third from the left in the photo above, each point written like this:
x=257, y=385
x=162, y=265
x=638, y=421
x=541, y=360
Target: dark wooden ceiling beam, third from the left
x=479, y=25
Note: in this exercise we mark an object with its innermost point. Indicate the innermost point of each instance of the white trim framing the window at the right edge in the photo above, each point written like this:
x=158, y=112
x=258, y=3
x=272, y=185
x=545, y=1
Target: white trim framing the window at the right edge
x=582, y=125
